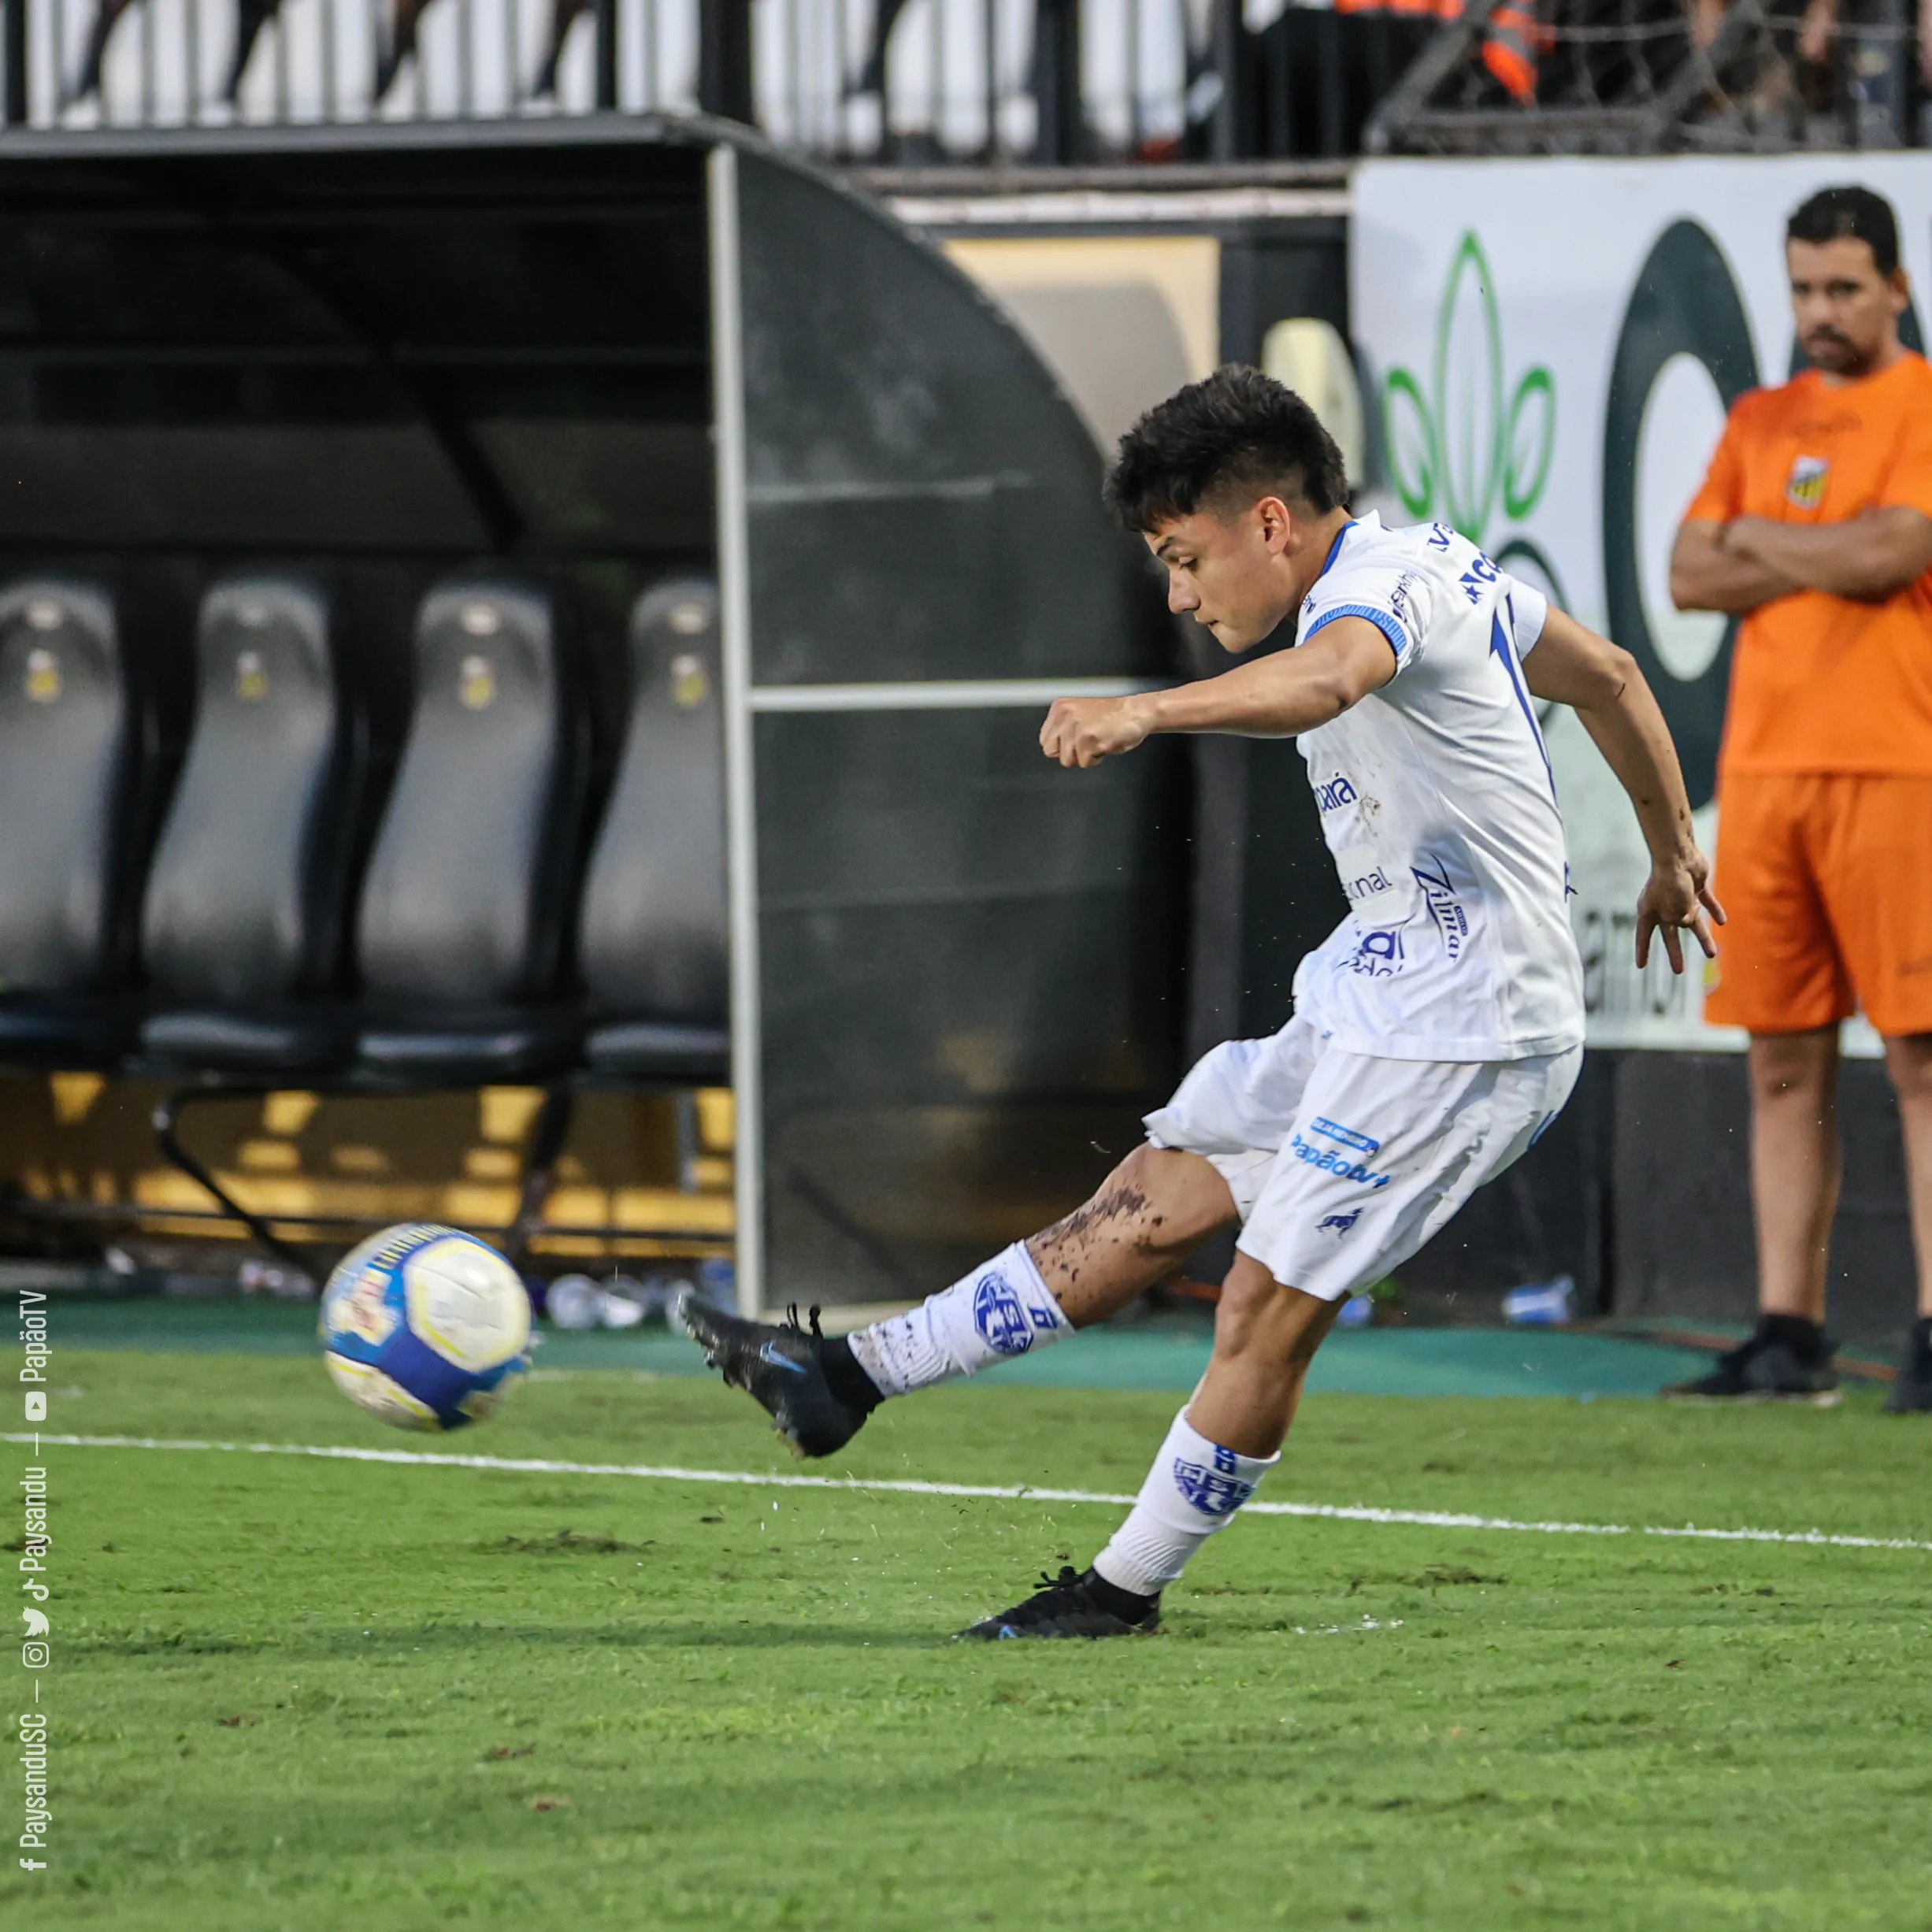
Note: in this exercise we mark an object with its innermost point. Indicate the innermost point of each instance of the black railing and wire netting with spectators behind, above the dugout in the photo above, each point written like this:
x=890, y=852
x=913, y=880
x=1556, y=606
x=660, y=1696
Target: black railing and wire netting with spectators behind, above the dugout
x=919, y=86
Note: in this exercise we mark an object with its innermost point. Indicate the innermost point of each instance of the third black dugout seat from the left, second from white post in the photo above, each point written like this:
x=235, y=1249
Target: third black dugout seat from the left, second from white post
x=461, y=938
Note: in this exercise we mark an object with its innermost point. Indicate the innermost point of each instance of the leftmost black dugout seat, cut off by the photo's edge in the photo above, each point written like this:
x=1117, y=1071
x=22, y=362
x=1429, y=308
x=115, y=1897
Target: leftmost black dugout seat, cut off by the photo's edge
x=78, y=780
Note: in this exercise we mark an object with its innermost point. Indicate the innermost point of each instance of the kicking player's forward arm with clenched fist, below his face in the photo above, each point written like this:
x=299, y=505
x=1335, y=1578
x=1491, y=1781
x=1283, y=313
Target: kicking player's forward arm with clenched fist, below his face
x=1276, y=696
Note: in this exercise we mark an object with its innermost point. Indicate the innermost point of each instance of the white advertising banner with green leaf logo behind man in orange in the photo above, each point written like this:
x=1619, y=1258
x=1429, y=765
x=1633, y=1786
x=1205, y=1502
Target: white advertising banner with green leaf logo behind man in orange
x=1550, y=349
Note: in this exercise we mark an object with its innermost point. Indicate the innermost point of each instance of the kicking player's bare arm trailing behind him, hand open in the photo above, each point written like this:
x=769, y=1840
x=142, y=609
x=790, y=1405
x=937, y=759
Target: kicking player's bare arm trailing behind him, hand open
x=1572, y=666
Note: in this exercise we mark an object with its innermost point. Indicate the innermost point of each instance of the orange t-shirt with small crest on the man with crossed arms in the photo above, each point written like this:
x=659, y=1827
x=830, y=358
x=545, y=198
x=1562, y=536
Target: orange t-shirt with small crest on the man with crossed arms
x=1821, y=683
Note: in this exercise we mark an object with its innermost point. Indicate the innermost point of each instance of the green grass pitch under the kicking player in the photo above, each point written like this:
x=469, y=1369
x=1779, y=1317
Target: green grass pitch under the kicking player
x=347, y=1697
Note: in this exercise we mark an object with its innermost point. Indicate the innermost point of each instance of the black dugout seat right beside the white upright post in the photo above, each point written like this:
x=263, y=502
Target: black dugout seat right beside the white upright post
x=652, y=938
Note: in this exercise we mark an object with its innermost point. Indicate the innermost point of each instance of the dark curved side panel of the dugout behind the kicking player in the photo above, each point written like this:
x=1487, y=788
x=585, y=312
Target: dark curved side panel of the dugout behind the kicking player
x=969, y=957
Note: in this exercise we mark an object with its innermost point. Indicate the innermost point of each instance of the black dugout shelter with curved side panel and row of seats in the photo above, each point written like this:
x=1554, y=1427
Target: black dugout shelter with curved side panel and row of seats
x=565, y=606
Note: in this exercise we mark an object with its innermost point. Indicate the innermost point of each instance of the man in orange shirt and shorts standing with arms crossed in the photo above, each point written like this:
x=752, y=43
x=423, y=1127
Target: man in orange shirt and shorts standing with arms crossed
x=1817, y=526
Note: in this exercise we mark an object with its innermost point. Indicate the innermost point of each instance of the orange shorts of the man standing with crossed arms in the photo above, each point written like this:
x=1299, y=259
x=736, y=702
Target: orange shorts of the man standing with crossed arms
x=1829, y=886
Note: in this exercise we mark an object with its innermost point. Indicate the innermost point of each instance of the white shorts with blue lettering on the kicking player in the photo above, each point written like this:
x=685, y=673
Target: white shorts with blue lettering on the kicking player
x=1342, y=1164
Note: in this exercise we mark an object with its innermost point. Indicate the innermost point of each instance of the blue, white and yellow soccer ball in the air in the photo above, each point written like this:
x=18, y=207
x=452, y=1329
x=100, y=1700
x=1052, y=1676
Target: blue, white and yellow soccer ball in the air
x=426, y=1326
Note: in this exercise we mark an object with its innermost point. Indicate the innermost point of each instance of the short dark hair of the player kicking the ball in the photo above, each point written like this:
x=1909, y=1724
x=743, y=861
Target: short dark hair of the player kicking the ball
x=1239, y=434
